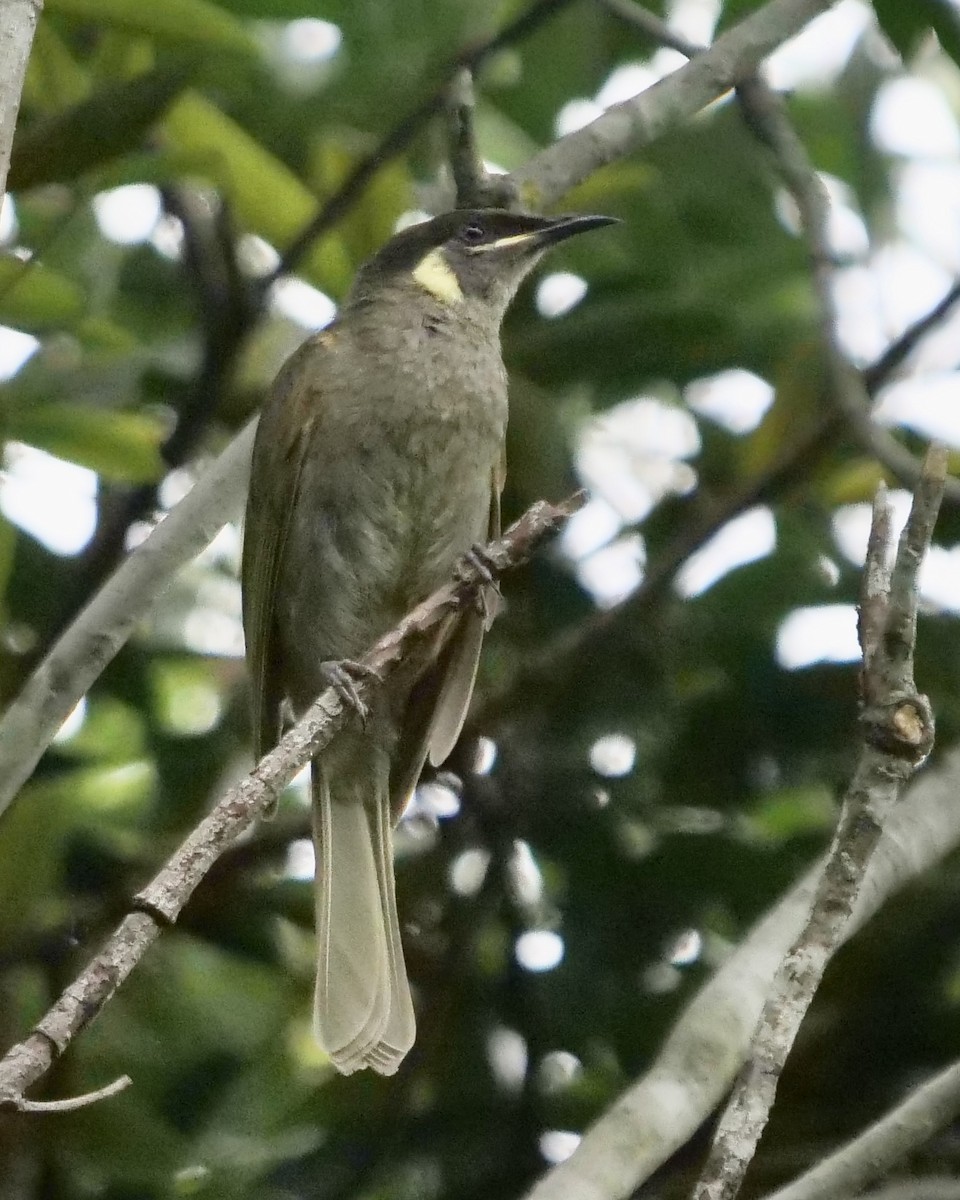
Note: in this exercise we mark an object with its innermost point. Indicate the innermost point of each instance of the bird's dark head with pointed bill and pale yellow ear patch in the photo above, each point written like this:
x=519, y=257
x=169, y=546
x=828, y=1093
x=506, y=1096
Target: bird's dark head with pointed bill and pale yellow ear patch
x=470, y=260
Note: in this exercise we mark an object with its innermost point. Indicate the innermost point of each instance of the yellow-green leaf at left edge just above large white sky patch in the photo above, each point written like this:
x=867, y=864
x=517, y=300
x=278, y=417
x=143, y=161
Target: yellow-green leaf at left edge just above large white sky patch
x=122, y=447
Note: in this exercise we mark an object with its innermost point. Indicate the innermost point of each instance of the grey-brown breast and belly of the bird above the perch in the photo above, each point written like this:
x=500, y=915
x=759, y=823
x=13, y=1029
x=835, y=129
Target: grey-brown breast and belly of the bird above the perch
x=395, y=487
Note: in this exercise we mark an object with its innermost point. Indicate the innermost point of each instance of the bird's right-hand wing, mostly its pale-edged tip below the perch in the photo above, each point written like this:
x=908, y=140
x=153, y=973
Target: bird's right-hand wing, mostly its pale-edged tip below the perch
x=439, y=704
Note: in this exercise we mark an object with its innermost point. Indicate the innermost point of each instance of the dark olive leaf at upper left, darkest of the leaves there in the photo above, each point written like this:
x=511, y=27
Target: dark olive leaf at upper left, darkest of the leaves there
x=93, y=133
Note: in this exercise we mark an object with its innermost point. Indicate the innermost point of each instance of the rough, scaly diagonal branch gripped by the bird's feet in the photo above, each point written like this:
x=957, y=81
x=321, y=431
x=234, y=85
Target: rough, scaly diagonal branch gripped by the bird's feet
x=163, y=901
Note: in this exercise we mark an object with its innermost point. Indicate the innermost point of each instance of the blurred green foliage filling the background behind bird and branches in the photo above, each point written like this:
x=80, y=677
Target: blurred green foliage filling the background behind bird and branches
x=663, y=788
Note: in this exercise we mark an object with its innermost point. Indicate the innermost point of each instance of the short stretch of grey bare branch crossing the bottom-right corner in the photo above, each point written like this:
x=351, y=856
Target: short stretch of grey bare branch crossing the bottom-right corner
x=903, y=1131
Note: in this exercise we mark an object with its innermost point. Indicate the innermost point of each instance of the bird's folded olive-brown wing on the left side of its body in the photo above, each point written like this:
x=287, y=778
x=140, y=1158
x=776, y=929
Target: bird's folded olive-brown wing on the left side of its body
x=279, y=453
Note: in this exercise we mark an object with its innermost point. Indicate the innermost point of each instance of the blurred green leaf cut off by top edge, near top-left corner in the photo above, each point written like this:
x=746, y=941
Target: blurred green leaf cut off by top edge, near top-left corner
x=181, y=21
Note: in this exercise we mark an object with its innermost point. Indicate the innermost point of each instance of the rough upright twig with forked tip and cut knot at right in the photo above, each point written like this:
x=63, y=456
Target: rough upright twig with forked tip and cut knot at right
x=898, y=736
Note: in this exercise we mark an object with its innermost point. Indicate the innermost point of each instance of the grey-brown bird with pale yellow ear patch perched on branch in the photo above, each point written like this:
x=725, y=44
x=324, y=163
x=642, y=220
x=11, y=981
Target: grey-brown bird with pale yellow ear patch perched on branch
x=379, y=464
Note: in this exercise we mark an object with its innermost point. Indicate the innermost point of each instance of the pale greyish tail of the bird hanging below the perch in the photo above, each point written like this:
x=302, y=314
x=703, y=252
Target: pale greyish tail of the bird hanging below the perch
x=363, y=1010
